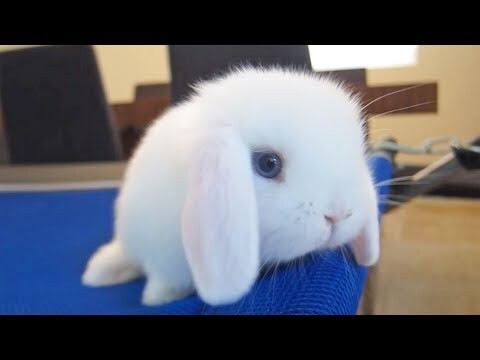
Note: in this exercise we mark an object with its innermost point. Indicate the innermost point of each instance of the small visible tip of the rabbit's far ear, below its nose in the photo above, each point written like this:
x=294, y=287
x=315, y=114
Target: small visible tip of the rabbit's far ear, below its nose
x=366, y=245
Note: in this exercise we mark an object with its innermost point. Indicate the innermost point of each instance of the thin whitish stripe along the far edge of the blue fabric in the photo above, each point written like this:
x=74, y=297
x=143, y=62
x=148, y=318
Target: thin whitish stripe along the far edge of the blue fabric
x=64, y=186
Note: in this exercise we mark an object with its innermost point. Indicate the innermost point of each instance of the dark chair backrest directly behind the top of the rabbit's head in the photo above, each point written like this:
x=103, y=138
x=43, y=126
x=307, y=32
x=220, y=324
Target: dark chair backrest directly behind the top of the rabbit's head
x=190, y=63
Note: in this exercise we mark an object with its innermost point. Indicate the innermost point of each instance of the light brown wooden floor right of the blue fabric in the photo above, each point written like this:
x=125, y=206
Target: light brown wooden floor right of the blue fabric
x=430, y=260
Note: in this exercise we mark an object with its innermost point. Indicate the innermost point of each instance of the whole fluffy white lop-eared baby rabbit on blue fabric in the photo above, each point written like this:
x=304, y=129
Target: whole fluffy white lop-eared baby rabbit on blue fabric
x=259, y=166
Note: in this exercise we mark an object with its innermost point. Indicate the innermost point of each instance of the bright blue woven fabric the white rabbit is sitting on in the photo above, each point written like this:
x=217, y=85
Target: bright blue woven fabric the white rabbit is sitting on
x=47, y=238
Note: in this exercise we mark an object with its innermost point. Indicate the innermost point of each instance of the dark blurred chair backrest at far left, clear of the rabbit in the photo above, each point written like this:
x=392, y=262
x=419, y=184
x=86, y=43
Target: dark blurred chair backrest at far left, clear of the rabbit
x=54, y=107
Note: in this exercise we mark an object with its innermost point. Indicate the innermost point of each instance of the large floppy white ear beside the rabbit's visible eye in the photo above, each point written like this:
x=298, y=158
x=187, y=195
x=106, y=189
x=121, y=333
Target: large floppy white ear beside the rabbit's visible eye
x=219, y=220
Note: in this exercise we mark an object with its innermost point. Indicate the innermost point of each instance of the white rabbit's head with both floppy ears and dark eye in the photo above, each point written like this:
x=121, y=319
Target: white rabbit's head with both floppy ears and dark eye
x=277, y=170
